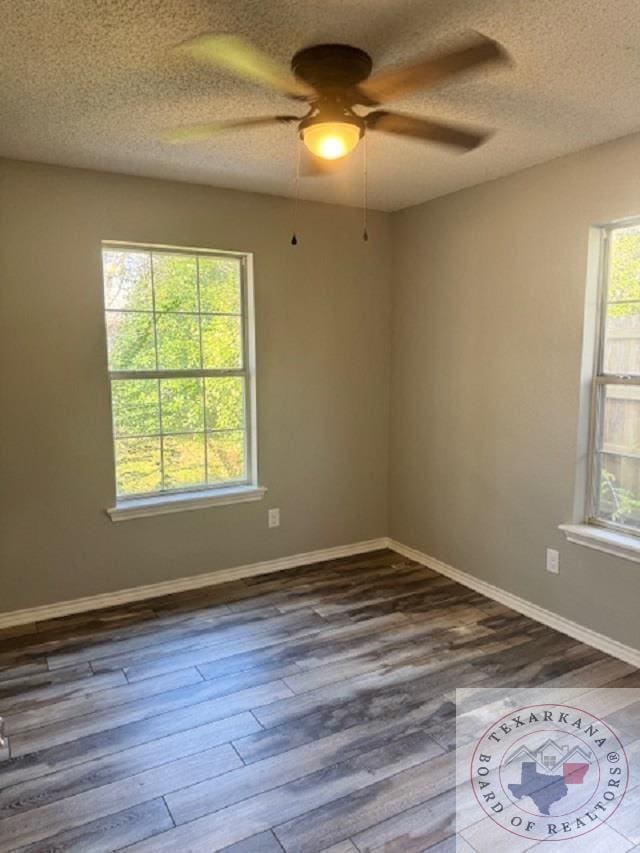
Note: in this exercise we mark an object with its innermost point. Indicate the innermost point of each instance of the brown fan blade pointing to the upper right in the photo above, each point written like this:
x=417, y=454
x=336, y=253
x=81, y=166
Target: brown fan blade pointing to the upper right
x=398, y=82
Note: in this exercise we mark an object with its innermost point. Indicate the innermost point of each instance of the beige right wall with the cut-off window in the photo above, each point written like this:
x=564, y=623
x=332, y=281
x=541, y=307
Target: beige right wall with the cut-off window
x=488, y=308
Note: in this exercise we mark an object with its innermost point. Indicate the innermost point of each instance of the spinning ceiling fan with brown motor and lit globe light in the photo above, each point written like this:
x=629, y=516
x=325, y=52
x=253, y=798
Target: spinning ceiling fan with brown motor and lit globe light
x=333, y=79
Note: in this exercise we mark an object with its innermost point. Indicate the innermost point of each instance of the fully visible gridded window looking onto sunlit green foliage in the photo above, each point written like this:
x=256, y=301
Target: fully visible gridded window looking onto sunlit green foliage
x=180, y=367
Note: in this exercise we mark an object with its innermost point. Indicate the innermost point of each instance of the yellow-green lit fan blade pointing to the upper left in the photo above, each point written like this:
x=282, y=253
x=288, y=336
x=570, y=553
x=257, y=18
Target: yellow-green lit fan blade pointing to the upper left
x=242, y=58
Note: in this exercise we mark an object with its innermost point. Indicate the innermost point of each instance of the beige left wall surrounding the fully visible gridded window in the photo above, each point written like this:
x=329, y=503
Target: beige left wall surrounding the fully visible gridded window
x=322, y=370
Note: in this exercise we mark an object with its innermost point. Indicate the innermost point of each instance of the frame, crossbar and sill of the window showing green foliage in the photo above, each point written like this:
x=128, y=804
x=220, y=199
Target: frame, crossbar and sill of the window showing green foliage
x=196, y=496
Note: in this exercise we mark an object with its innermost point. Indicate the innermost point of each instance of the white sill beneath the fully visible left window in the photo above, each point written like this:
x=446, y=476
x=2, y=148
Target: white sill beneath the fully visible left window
x=163, y=504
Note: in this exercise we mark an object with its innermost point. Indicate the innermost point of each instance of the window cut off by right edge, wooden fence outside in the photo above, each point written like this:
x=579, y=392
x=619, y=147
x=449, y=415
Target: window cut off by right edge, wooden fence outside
x=614, y=499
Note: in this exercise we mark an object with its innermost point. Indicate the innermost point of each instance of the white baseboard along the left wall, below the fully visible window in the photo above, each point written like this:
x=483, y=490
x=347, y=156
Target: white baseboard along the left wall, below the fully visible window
x=139, y=593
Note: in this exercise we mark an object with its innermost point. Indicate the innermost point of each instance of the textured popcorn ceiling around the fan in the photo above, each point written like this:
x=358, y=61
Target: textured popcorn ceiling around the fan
x=92, y=83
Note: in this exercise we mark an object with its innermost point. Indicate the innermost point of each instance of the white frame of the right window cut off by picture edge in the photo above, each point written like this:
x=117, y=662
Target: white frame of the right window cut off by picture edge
x=599, y=383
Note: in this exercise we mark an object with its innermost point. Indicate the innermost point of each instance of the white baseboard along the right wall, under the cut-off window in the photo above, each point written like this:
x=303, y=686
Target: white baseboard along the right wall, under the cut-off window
x=565, y=626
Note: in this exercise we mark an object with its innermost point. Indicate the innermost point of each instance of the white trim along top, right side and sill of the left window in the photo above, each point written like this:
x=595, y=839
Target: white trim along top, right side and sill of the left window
x=142, y=506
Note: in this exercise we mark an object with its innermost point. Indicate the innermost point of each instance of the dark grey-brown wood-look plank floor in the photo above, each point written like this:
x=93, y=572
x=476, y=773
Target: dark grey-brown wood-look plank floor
x=309, y=710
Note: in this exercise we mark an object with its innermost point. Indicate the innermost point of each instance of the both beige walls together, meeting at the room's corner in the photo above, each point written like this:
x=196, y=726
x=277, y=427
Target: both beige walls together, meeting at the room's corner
x=488, y=292
